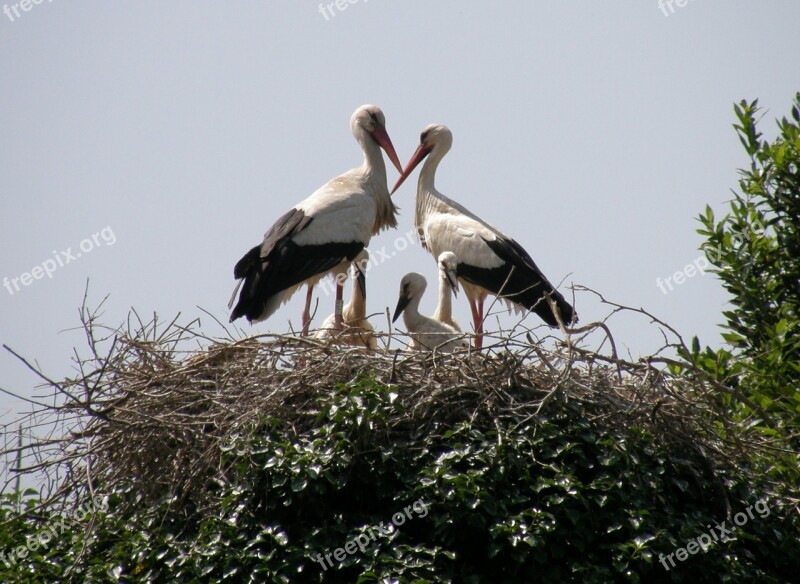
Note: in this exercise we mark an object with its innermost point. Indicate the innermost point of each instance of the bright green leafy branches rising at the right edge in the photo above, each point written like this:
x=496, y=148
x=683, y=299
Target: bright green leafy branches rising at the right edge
x=755, y=250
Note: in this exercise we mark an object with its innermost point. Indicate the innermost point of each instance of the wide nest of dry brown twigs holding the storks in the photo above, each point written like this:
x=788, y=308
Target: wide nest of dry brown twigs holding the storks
x=151, y=412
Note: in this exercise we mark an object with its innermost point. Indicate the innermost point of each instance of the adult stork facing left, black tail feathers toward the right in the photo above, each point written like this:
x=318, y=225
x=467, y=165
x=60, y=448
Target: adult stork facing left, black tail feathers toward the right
x=489, y=261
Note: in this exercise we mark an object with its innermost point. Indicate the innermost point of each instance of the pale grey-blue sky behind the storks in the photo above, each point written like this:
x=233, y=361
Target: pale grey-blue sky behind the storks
x=164, y=138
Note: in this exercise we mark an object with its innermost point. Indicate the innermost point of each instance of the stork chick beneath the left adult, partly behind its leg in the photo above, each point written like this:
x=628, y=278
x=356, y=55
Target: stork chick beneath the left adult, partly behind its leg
x=357, y=329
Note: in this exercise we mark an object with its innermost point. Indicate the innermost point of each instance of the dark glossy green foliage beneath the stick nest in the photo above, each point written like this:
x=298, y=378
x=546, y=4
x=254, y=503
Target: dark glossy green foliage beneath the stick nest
x=559, y=498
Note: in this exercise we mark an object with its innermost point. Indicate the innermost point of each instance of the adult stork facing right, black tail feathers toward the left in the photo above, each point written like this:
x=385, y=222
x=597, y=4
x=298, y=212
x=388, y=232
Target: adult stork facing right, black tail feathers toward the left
x=327, y=229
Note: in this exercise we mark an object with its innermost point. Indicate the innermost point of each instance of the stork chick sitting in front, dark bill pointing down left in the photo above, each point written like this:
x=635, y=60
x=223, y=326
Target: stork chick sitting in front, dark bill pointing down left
x=426, y=333
